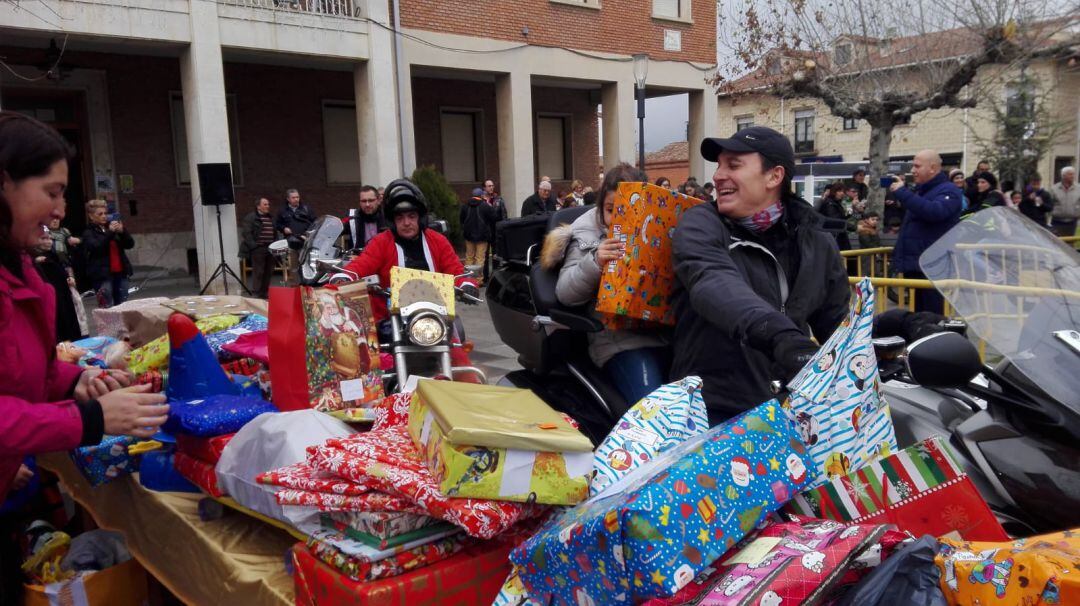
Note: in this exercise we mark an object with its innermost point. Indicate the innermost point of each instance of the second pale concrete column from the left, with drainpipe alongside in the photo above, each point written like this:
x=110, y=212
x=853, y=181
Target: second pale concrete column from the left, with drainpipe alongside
x=374, y=84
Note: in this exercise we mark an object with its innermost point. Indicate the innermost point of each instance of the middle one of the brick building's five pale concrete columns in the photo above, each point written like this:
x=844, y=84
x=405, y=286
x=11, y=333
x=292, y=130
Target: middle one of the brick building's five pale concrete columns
x=514, y=101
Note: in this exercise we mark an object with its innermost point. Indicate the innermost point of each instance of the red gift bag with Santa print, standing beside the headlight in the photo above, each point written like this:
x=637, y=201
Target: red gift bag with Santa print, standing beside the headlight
x=325, y=352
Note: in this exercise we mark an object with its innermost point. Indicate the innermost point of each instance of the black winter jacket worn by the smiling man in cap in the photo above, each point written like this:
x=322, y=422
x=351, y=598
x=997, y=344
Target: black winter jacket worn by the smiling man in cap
x=737, y=292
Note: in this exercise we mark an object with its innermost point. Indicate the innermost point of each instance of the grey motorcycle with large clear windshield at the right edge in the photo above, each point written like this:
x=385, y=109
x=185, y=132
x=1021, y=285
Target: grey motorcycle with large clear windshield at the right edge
x=1014, y=413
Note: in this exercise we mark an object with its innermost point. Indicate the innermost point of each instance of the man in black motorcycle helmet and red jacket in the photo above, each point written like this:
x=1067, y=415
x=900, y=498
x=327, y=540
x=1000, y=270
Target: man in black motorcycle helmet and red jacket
x=408, y=244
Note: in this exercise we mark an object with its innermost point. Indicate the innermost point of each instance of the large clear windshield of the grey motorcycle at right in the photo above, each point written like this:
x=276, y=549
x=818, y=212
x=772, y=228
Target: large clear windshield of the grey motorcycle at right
x=1018, y=288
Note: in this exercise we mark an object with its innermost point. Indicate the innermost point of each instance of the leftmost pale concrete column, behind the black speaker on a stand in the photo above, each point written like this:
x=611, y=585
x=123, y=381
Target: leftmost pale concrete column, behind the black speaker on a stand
x=202, y=78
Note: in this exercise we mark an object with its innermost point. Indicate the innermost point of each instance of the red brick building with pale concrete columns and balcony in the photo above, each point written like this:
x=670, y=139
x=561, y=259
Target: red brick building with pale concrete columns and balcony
x=325, y=96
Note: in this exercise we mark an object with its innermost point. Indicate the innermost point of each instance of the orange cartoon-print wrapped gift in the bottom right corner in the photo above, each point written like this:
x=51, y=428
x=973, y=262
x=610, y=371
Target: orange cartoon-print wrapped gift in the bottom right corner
x=1037, y=571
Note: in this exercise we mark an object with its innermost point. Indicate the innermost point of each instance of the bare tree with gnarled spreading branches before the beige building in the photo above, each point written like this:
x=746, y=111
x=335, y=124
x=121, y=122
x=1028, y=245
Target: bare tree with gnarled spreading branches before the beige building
x=886, y=62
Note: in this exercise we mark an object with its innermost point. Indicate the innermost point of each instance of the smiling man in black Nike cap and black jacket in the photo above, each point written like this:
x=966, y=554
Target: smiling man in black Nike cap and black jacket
x=758, y=277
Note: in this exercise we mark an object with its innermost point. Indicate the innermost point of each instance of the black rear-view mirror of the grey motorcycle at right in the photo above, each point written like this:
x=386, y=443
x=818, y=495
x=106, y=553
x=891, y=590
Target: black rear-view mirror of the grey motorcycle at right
x=943, y=360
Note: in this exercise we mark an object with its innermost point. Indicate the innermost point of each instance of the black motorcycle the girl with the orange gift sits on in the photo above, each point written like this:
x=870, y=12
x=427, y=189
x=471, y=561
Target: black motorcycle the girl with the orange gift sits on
x=551, y=340
